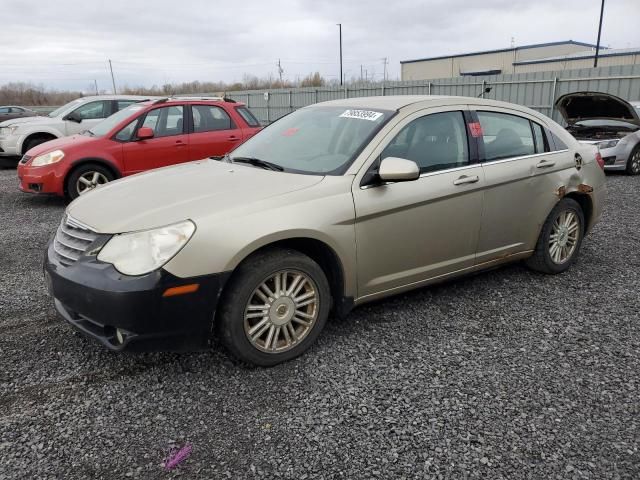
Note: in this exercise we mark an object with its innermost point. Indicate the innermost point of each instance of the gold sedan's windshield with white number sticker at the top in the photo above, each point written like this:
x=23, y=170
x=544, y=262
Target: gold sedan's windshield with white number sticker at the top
x=316, y=140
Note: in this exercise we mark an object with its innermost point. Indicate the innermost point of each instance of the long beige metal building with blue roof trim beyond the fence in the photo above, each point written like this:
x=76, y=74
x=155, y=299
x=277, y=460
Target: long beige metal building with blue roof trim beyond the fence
x=523, y=59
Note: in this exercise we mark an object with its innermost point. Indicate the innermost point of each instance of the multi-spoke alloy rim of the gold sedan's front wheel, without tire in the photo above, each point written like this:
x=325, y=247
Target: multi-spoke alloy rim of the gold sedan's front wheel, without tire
x=281, y=311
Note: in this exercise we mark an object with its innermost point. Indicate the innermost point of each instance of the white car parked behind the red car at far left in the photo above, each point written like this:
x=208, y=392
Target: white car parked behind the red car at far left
x=19, y=135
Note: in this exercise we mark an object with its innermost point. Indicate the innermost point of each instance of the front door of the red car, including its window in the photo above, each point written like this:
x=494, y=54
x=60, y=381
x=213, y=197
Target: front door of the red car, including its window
x=169, y=145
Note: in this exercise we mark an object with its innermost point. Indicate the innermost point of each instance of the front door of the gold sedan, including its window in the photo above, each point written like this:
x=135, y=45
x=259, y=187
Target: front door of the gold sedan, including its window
x=409, y=232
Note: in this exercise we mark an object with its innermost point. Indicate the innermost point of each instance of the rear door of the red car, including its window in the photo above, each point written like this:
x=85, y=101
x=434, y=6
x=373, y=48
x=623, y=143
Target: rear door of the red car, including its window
x=213, y=132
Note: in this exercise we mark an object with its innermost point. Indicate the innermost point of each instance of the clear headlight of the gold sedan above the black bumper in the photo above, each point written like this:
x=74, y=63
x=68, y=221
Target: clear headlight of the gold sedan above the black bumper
x=142, y=252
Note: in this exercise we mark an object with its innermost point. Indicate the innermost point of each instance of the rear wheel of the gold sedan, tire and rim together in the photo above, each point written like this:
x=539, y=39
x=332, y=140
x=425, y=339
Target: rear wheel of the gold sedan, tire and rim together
x=560, y=238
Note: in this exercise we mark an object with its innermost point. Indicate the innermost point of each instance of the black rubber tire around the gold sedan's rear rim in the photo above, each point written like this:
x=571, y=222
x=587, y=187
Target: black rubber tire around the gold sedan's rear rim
x=541, y=261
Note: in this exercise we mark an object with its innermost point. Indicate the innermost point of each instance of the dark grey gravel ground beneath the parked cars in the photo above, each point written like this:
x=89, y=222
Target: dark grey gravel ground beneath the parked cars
x=503, y=375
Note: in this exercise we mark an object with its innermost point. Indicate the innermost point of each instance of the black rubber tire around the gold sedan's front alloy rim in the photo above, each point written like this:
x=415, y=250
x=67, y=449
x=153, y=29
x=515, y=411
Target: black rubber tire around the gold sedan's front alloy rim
x=230, y=319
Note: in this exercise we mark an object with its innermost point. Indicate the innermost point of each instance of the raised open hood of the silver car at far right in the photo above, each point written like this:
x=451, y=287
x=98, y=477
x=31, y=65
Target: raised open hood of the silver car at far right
x=595, y=106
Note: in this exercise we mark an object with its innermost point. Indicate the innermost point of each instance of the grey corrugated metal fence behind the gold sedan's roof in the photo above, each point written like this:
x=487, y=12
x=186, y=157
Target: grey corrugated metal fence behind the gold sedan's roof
x=536, y=90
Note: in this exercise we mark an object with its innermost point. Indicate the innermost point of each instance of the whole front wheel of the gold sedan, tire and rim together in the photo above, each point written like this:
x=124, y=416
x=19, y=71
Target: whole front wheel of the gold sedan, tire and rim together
x=274, y=308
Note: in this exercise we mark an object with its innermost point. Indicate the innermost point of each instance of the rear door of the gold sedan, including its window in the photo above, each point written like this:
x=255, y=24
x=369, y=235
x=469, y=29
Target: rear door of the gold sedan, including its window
x=522, y=177
